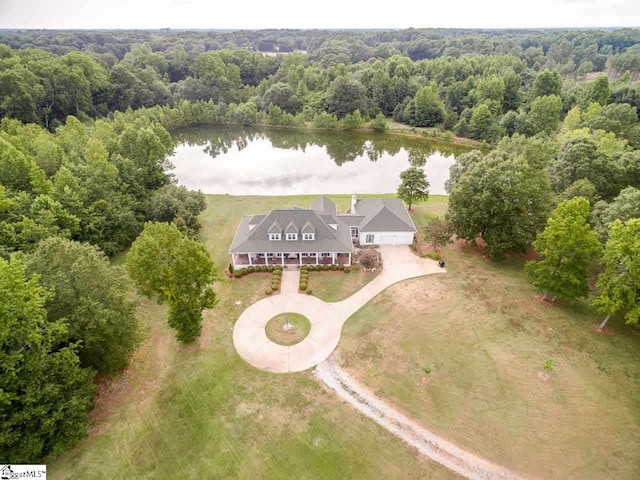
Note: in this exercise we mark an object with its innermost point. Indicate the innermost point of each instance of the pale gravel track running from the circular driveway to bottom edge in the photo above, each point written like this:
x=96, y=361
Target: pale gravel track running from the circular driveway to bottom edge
x=427, y=443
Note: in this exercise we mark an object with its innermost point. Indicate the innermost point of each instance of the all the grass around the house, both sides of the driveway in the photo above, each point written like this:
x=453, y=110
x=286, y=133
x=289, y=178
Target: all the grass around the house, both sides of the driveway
x=479, y=332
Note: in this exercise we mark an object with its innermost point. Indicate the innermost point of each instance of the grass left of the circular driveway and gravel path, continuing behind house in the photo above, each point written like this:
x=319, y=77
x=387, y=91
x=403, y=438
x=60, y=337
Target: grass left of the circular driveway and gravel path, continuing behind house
x=201, y=412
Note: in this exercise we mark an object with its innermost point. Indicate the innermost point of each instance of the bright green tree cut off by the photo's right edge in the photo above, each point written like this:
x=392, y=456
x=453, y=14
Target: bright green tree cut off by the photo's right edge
x=619, y=283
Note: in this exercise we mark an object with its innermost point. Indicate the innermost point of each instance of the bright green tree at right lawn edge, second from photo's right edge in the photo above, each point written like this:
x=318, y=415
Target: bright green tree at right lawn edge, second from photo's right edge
x=567, y=248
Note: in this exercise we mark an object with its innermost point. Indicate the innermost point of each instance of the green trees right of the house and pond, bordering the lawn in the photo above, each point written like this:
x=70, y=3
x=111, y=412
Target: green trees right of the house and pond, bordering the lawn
x=574, y=197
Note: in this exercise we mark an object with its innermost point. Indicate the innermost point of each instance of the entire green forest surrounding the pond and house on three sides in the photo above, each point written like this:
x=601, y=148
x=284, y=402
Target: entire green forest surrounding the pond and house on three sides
x=84, y=143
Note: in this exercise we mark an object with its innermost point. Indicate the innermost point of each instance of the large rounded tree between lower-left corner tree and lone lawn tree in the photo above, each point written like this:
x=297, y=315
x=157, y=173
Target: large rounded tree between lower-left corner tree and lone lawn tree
x=91, y=298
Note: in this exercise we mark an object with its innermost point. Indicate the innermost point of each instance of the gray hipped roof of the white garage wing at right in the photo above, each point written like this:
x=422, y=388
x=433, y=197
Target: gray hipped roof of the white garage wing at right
x=384, y=215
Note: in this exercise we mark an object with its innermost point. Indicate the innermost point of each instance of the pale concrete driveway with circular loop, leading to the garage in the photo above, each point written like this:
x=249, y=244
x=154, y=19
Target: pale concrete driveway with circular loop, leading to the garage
x=252, y=344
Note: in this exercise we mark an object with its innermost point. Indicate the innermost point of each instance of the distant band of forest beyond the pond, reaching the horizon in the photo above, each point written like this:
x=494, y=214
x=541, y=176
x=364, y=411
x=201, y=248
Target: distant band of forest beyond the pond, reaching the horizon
x=476, y=84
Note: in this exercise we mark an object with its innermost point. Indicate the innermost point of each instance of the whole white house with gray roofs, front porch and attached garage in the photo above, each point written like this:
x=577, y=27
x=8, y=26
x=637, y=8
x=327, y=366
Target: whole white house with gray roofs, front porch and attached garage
x=318, y=234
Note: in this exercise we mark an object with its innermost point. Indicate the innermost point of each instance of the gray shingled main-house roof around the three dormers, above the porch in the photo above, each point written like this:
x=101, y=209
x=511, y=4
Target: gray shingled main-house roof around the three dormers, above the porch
x=257, y=240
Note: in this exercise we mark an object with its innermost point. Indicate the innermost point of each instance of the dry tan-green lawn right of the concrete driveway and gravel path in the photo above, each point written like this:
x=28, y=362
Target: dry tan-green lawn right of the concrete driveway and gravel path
x=463, y=353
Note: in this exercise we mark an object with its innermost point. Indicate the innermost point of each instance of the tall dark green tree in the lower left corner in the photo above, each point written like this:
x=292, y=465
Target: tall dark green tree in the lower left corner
x=45, y=396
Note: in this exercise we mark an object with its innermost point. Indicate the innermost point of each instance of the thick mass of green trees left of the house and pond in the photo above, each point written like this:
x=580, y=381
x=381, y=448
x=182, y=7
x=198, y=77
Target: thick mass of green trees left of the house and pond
x=69, y=200
